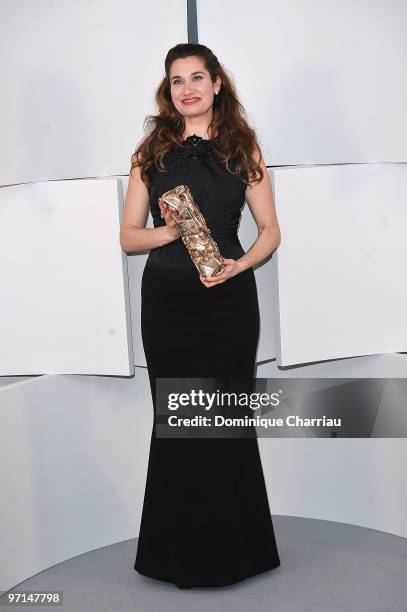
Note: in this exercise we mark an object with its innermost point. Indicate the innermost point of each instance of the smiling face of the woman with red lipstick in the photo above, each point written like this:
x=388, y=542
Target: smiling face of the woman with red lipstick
x=190, y=79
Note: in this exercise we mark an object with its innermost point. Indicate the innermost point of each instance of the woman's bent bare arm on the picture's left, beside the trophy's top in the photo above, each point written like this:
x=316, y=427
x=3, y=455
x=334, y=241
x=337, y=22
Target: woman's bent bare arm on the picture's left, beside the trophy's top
x=134, y=236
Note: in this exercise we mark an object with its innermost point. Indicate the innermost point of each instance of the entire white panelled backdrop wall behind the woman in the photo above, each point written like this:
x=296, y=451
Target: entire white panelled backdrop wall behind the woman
x=324, y=83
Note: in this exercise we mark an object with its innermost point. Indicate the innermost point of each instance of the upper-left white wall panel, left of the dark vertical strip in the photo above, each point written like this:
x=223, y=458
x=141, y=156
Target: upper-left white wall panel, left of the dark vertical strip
x=80, y=79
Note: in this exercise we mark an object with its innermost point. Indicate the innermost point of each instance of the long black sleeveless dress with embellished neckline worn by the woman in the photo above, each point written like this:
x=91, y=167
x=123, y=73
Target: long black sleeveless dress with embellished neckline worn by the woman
x=205, y=520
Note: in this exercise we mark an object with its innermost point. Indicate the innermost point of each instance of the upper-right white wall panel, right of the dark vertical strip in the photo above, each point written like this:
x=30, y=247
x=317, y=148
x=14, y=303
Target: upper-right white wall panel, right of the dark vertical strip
x=323, y=81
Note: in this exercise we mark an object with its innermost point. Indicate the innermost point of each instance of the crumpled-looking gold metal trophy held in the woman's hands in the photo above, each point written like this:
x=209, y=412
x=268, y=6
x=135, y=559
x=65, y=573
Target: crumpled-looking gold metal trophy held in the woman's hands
x=194, y=232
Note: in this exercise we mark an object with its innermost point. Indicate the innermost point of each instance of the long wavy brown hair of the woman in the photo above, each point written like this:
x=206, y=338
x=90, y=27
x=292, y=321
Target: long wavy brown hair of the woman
x=235, y=139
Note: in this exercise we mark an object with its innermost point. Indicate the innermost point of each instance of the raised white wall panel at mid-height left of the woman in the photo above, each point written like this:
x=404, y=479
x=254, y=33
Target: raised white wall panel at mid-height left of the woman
x=63, y=280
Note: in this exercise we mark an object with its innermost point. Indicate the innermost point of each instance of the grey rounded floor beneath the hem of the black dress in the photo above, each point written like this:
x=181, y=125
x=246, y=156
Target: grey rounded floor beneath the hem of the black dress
x=325, y=567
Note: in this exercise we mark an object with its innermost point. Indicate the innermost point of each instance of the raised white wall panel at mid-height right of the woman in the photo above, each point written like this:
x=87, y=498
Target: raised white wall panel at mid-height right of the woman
x=341, y=262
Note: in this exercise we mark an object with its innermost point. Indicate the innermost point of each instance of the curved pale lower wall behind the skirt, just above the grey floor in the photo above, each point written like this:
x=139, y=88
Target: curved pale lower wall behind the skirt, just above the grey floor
x=73, y=463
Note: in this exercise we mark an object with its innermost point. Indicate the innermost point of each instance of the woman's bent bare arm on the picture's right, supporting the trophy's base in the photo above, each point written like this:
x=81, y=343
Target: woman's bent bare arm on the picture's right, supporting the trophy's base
x=260, y=200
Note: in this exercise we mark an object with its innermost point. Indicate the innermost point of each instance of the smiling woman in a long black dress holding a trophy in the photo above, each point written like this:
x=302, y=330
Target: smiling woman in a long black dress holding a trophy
x=205, y=519
